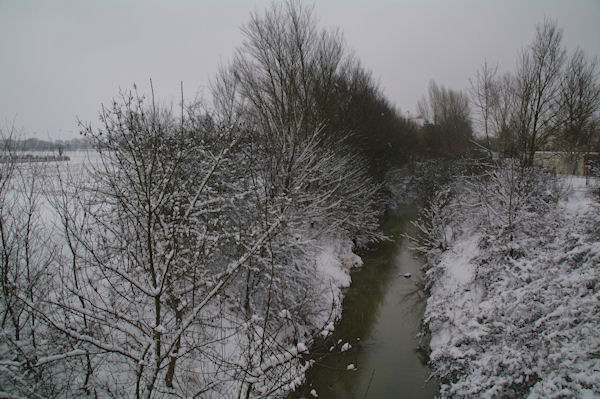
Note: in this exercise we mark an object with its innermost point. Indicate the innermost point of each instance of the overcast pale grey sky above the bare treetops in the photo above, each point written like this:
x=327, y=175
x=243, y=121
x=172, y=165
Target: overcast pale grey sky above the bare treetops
x=61, y=59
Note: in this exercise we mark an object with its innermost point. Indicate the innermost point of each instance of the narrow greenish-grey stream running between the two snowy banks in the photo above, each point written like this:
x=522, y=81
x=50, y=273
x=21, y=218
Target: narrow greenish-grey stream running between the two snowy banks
x=382, y=311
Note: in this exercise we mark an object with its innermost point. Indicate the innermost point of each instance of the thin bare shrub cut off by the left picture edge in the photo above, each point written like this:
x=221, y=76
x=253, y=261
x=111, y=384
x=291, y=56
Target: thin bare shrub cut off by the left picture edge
x=27, y=252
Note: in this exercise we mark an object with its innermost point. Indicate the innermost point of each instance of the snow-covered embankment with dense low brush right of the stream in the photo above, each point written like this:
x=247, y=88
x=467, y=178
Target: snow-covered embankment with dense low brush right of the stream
x=514, y=283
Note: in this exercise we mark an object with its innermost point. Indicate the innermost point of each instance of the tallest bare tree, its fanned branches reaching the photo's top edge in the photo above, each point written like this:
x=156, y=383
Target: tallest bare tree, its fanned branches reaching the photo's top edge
x=286, y=61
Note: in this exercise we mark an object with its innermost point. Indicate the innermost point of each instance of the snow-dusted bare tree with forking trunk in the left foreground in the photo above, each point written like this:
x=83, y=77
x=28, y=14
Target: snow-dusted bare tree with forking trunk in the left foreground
x=153, y=239
